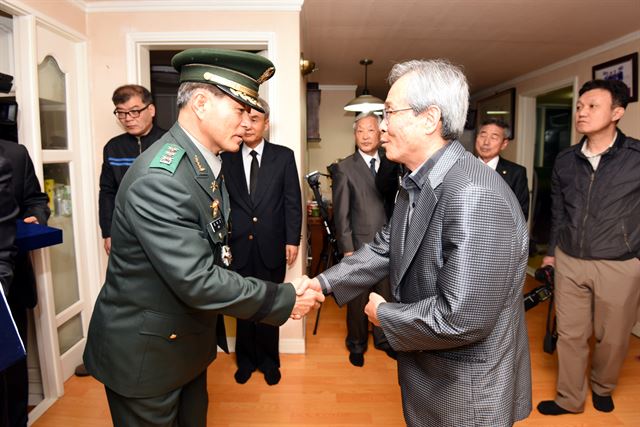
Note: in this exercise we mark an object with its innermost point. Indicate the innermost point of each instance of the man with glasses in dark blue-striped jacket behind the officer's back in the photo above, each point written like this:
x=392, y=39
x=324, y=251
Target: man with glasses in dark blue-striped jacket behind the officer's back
x=135, y=112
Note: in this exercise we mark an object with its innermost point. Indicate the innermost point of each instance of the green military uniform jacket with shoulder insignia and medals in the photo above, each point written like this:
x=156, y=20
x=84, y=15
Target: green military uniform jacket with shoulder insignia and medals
x=153, y=327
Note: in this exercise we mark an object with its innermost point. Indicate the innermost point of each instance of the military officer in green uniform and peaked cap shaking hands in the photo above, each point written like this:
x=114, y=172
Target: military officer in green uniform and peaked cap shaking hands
x=154, y=326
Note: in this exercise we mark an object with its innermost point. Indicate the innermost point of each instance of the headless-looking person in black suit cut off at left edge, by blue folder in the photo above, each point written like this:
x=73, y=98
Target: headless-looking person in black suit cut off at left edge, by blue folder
x=33, y=208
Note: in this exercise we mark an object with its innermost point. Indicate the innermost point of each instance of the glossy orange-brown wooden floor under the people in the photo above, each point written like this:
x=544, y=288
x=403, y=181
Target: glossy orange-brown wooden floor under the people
x=321, y=388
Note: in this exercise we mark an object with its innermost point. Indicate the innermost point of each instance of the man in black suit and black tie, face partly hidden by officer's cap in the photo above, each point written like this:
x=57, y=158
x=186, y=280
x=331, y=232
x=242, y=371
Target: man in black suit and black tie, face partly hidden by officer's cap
x=266, y=217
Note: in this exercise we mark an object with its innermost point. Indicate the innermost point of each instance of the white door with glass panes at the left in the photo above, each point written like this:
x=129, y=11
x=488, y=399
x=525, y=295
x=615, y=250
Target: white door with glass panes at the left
x=62, y=111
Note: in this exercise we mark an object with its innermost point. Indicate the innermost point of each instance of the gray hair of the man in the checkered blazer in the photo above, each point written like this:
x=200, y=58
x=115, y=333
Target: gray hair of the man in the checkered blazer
x=436, y=82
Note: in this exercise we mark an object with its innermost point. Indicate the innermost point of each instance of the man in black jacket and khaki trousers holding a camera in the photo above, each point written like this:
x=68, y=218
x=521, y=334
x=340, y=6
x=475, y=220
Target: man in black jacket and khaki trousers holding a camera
x=595, y=246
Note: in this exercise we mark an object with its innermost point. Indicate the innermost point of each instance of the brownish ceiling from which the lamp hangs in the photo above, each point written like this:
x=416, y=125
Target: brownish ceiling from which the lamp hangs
x=494, y=40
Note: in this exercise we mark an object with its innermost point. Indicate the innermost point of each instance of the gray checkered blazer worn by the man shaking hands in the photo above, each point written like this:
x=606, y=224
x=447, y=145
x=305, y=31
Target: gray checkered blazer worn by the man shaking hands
x=456, y=273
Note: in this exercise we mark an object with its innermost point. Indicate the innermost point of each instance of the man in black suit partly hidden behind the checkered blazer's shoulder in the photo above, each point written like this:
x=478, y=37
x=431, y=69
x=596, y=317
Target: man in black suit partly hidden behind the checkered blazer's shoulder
x=493, y=137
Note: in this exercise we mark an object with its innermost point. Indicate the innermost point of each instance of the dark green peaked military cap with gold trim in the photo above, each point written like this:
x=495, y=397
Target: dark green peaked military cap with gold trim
x=238, y=74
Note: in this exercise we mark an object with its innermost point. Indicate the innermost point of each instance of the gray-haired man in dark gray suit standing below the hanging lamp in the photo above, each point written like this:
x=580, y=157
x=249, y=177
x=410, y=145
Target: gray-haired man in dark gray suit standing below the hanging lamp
x=358, y=212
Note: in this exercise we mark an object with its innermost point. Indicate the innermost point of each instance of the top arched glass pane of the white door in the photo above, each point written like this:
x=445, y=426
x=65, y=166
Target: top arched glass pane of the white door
x=53, y=105
